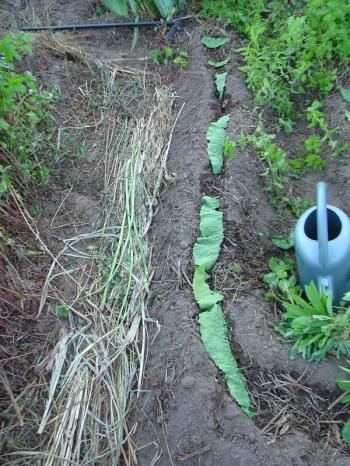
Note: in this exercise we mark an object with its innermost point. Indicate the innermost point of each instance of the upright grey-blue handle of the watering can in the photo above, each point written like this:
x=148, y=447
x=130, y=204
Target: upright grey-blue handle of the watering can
x=322, y=223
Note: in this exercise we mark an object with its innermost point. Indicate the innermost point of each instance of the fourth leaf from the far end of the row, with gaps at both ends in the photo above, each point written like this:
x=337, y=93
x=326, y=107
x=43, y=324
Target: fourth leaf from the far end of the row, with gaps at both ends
x=216, y=136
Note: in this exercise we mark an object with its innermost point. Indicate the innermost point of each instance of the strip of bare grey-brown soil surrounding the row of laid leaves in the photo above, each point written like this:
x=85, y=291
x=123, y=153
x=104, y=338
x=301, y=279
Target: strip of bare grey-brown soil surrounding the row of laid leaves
x=186, y=406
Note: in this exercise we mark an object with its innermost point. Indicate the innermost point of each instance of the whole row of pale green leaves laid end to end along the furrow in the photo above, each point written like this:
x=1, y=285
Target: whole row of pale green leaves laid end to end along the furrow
x=213, y=327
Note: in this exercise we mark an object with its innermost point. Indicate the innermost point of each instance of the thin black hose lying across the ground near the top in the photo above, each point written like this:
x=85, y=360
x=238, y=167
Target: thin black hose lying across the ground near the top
x=63, y=27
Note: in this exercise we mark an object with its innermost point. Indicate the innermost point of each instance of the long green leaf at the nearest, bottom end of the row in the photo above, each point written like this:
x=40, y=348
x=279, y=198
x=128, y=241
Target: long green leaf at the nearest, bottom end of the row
x=213, y=330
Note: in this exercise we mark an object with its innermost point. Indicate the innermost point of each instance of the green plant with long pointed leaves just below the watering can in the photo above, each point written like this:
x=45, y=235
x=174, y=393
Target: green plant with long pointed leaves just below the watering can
x=314, y=326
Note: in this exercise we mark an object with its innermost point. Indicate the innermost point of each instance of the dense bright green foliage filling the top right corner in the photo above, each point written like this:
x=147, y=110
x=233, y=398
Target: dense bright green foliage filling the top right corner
x=292, y=47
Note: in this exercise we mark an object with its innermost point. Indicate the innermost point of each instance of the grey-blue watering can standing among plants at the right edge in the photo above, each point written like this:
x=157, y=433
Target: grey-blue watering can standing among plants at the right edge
x=322, y=245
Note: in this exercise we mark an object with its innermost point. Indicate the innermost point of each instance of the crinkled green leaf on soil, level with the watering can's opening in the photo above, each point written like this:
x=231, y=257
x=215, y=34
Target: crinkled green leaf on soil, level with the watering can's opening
x=207, y=247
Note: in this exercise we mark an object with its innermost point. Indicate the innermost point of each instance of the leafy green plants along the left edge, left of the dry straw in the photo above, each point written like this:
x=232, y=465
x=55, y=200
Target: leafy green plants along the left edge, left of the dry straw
x=23, y=111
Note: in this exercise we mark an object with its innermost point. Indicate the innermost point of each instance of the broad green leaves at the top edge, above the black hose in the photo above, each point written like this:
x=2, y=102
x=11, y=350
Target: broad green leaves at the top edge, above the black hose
x=154, y=8
